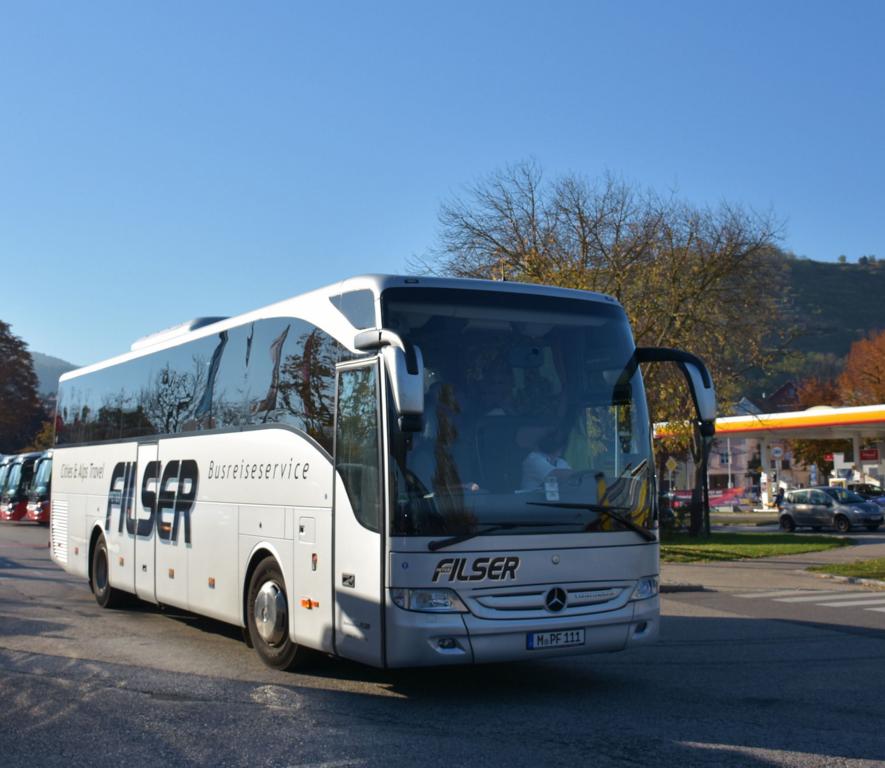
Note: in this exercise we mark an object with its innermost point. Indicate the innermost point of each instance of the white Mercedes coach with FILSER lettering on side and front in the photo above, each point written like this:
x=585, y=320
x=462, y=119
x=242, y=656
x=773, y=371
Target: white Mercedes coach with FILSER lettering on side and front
x=401, y=471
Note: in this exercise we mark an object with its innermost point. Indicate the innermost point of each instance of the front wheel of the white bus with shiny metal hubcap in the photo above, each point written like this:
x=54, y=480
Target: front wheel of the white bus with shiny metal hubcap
x=267, y=616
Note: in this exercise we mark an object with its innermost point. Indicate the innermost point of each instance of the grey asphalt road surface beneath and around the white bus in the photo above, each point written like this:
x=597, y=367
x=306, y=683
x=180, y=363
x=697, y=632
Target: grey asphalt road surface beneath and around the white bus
x=740, y=678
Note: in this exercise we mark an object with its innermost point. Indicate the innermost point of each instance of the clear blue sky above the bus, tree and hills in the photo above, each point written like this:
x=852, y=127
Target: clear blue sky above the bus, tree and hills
x=161, y=161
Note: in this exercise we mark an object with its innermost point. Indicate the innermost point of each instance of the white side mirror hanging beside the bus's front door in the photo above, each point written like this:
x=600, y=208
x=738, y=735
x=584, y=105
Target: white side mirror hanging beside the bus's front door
x=405, y=369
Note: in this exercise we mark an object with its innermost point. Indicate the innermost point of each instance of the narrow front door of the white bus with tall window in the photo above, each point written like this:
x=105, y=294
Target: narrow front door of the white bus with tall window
x=358, y=518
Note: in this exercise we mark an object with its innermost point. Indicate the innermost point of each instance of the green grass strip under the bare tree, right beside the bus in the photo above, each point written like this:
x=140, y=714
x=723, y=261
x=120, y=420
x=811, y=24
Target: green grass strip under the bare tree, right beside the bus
x=718, y=547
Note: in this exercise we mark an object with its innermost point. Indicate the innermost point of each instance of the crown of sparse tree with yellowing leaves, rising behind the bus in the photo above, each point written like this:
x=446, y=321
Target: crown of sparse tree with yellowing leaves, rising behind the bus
x=710, y=280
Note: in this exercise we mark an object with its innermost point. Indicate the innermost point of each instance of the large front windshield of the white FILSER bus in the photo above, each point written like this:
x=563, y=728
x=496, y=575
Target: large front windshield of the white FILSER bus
x=534, y=417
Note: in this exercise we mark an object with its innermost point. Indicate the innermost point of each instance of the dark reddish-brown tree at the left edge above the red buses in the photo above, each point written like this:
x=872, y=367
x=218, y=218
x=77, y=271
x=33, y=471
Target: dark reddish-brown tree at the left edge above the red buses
x=20, y=411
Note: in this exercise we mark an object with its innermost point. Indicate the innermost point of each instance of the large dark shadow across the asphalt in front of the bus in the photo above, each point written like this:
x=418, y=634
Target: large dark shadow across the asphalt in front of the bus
x=717, y=691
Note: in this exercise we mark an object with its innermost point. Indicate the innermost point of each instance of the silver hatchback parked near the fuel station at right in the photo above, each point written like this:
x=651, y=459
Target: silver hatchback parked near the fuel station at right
x=826, y=507
